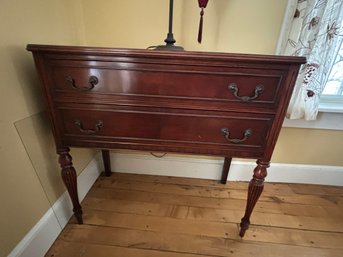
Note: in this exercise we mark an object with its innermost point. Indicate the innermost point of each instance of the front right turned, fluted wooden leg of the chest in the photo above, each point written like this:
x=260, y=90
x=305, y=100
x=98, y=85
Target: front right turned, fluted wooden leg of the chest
x=255, y=190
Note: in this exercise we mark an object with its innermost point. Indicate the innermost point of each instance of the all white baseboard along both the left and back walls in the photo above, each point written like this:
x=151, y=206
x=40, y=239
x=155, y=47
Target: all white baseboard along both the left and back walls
x=44, y=233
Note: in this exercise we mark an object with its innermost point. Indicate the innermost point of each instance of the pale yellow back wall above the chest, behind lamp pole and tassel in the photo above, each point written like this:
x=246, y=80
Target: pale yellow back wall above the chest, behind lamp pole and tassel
x=229, y=26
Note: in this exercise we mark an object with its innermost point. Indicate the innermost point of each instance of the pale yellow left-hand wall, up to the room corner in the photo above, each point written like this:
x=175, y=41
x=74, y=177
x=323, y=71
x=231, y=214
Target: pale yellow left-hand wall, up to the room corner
x=27, y=189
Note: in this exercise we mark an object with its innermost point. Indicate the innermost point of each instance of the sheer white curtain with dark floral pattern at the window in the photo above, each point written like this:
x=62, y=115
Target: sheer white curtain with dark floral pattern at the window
x=315, y=32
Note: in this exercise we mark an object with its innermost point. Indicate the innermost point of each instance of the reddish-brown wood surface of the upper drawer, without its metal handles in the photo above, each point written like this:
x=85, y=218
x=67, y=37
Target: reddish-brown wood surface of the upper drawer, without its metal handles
x=145, y=80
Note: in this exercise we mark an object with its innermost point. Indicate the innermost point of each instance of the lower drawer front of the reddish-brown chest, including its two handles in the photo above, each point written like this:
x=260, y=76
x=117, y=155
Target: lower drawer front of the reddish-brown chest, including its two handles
x=147, y=126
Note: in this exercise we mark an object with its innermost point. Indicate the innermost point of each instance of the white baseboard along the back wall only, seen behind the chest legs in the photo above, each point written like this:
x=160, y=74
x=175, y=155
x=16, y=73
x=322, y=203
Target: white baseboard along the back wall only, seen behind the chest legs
x=195, y=167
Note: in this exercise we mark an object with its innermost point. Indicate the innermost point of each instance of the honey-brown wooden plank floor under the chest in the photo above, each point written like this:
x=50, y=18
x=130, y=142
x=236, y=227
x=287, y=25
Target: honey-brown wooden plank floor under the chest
x=130, y=215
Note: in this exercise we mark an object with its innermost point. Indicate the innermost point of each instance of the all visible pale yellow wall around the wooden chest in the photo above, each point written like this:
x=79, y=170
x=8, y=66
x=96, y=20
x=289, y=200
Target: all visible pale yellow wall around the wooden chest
x=29, y=183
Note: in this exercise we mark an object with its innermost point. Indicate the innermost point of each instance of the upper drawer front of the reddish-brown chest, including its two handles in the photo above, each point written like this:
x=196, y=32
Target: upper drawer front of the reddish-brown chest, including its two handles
x=235, y=86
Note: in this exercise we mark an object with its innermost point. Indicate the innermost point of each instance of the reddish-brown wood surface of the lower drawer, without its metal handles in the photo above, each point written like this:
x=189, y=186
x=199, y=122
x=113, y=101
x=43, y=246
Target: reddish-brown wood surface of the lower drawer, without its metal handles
x=145, y=126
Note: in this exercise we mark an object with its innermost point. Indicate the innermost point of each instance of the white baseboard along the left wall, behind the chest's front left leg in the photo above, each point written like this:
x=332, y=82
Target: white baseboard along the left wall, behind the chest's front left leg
x=39, y=239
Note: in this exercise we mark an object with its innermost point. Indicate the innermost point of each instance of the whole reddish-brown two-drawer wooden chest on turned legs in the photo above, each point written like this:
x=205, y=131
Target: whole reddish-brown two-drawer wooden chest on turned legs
x=185, y=102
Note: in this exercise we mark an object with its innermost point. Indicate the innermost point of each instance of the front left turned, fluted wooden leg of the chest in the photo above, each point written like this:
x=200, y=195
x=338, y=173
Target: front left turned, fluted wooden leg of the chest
x=70, y=180
